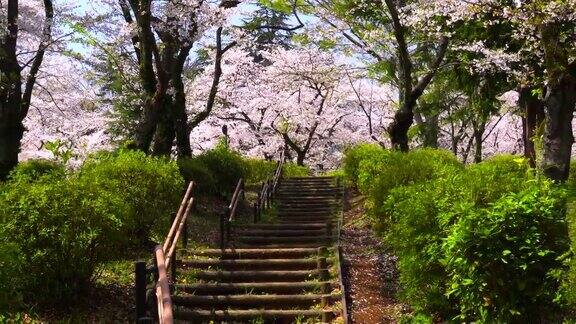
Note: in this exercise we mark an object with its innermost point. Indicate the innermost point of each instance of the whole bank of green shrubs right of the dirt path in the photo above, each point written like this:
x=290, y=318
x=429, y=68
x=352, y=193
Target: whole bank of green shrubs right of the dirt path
x=483, y=243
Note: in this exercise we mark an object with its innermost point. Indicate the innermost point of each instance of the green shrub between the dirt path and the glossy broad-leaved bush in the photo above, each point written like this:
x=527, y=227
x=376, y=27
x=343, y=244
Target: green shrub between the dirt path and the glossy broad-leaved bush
x=419, y=216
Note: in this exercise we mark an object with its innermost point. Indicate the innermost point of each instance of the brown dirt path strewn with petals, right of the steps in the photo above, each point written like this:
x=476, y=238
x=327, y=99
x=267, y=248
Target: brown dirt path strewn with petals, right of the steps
x=369, y=271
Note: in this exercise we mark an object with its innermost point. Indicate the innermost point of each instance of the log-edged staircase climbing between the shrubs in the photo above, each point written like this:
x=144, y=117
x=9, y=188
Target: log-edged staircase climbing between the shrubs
x=283, y=271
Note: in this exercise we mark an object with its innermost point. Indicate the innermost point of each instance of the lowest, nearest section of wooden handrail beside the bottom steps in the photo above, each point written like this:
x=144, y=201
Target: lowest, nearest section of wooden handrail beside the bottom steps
x=163, y=289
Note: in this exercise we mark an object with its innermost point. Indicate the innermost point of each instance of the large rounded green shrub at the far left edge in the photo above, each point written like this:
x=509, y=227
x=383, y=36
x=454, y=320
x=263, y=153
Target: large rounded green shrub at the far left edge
x=62, y=229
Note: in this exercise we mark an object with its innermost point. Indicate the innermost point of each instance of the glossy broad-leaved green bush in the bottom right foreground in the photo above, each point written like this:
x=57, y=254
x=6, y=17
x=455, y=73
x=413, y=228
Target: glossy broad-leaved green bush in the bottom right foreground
x=500, y=258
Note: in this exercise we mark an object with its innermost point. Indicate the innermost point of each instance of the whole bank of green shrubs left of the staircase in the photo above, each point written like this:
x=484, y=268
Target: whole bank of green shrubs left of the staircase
x=57, y=228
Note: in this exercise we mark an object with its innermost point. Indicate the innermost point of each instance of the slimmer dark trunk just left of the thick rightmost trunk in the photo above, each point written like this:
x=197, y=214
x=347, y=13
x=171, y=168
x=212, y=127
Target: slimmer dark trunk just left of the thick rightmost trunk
x=533, y=109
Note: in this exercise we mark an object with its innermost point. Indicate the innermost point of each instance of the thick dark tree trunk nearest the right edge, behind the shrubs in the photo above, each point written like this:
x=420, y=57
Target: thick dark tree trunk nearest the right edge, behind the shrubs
x=558, y=138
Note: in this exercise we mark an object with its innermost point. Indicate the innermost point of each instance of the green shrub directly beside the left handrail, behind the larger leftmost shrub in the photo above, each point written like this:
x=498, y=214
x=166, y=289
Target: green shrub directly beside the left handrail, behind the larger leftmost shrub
x=151, y=187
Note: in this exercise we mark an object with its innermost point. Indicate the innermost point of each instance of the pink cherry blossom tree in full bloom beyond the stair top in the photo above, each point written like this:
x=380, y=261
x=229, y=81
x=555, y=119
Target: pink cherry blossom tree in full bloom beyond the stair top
x=305, y=99
